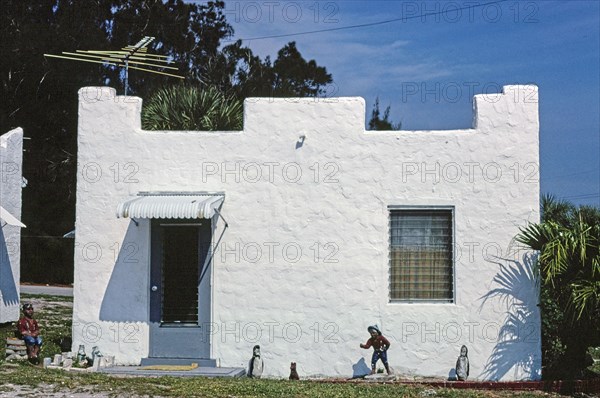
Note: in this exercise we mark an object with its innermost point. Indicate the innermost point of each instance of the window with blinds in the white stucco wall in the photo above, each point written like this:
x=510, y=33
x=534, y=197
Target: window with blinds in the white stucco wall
x=421, y=255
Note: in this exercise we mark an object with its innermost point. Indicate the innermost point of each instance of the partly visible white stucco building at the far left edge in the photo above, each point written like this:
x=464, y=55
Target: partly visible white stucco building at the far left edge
x=11, y=172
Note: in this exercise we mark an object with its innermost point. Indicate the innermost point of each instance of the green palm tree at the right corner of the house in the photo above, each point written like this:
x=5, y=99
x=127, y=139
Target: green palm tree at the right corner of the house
x=568, y=241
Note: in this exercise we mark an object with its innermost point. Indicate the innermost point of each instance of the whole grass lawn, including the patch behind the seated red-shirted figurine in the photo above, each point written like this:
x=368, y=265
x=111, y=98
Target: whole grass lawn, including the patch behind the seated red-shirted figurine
x=54, y=316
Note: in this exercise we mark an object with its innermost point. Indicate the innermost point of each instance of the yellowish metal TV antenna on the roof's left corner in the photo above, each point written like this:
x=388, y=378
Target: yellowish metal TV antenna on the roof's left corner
x=136, y=54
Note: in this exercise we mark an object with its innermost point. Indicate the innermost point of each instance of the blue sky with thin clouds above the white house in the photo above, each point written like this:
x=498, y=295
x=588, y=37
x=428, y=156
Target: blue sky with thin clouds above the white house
x=426, y=68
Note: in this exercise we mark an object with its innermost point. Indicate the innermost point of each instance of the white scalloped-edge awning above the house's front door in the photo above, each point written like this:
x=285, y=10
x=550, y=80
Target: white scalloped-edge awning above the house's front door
x=171, y=205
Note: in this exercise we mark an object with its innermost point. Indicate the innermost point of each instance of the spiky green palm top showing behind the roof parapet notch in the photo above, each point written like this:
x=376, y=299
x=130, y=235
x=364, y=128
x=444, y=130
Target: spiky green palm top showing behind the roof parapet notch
x=183, y=107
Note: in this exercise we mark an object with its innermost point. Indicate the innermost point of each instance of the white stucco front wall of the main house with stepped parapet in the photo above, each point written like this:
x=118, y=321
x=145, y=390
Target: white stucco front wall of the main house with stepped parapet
x=314, y=308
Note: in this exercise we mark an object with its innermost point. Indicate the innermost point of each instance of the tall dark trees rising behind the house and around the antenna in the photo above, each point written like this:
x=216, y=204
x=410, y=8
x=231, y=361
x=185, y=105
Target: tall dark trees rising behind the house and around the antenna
x=40, y=94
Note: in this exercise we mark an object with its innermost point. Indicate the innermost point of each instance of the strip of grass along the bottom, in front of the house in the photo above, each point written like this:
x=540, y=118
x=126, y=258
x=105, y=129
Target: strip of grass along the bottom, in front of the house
x=60, y=381
